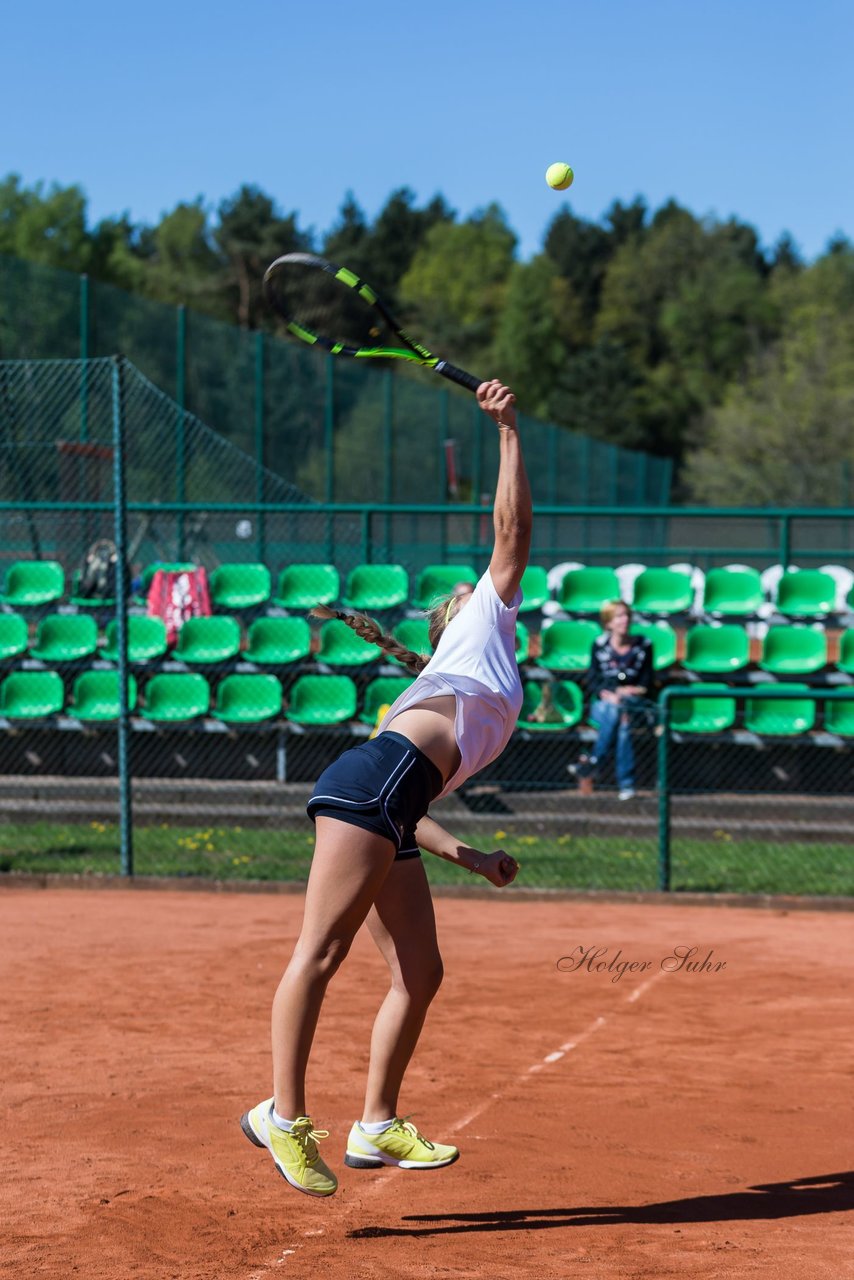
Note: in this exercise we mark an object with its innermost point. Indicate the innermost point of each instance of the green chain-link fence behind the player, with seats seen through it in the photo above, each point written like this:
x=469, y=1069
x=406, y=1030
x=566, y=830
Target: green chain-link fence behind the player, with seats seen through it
x=232, y=715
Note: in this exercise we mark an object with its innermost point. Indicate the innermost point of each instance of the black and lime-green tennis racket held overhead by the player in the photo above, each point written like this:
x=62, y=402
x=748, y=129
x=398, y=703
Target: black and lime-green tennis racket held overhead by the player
x=330, y=307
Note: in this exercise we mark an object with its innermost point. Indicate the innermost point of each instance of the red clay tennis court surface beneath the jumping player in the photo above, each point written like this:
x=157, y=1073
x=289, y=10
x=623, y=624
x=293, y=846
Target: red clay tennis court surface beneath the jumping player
x=695, y=1126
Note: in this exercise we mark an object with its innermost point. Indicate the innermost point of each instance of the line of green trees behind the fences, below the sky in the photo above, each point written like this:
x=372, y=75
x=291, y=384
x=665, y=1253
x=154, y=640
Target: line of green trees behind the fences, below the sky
x=650, y=330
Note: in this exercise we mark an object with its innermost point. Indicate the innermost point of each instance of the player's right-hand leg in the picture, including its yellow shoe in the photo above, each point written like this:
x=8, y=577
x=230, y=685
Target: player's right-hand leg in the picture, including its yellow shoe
x=403, y=924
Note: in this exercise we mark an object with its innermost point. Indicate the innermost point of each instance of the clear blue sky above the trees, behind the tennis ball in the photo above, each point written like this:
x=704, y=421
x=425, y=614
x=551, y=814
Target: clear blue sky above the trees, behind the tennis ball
x=732, y=107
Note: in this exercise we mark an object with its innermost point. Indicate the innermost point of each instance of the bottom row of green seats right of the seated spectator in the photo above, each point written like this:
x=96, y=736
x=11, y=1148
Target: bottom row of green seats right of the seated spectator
x=769, y=717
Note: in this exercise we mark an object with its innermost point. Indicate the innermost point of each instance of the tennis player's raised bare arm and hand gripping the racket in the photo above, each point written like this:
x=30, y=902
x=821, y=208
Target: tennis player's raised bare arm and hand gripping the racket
x=513, y=513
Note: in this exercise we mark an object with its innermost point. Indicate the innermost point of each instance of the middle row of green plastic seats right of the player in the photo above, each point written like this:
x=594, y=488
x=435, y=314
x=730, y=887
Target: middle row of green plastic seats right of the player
x=788, y=650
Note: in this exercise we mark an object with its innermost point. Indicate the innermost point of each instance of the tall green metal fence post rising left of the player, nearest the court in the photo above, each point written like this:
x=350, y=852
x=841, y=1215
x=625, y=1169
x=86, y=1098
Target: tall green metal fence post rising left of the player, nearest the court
x=120, y=501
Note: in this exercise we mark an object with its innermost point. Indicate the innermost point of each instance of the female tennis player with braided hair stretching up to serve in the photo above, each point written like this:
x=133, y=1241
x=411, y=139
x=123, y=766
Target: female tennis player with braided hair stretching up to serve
x=371, y=811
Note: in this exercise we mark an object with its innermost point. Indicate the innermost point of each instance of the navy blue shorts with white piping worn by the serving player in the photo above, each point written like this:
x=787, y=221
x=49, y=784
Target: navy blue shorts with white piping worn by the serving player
x=385, y=785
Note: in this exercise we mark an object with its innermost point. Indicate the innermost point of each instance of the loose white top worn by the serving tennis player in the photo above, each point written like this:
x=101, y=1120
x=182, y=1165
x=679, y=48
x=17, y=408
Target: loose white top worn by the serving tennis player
x=476, y=661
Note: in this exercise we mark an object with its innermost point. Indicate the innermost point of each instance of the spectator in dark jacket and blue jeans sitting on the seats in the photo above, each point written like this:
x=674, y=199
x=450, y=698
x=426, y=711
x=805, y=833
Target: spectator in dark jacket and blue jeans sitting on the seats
x=619, y=679
